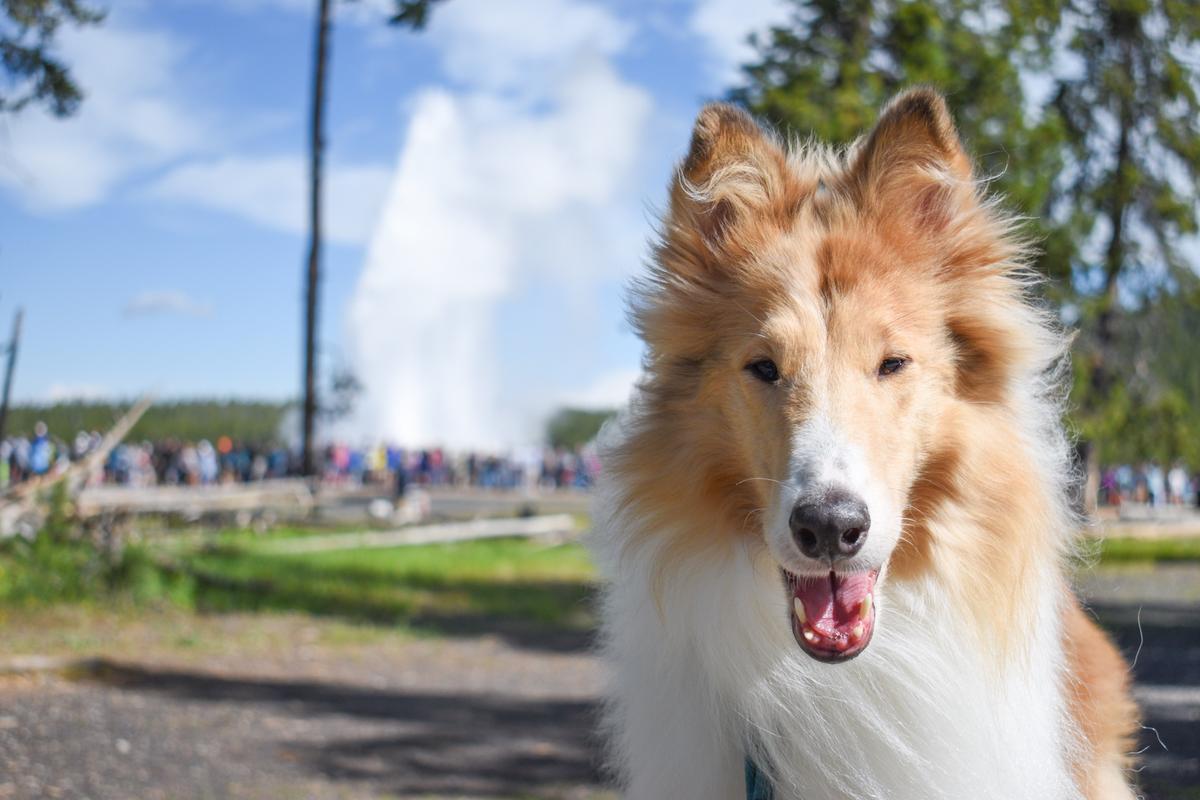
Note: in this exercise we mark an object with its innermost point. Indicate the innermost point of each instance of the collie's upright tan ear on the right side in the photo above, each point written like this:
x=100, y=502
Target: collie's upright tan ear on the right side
x=913, y=170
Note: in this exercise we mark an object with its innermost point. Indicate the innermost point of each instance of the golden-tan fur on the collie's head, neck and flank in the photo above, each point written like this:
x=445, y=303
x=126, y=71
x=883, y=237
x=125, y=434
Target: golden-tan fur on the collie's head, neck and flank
x=826, y=262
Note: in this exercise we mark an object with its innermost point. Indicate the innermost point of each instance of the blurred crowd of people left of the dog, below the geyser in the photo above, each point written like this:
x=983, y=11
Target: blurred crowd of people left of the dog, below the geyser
x=226, y=461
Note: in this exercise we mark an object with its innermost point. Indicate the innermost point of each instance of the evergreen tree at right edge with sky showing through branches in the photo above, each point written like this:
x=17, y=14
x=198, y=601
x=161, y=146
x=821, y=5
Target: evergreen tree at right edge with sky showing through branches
x=1131, y=118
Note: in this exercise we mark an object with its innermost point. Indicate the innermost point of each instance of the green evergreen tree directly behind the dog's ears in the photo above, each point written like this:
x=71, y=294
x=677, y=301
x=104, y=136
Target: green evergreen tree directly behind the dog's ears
x=830, y=71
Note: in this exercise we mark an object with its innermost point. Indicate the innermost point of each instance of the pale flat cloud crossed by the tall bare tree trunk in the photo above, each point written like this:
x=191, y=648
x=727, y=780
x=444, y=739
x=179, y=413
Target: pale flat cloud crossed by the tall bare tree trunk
x=273, y=193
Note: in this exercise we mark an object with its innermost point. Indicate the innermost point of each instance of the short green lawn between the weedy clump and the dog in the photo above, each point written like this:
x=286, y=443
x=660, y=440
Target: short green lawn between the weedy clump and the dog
x=442, y=588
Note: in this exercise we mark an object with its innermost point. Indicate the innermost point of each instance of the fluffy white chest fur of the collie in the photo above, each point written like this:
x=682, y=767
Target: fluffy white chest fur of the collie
x=925, y=713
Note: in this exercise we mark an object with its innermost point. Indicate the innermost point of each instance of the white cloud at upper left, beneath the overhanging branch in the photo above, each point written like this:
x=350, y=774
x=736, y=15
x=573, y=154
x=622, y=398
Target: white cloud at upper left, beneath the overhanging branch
x=133, y=118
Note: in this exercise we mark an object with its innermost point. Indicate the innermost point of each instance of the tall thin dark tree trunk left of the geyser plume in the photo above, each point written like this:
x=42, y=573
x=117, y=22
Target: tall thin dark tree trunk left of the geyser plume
x=317, y=145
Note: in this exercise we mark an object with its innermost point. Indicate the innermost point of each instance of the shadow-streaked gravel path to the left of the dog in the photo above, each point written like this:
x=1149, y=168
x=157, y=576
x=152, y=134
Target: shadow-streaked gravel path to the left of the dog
x=448, y=719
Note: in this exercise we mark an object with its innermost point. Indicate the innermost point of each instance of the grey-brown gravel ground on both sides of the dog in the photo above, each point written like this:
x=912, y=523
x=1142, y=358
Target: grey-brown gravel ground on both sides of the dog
x=303, y=717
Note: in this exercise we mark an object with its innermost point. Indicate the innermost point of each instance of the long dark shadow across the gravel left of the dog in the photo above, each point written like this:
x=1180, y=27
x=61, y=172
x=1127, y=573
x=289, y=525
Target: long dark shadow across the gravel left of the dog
x=421, y=744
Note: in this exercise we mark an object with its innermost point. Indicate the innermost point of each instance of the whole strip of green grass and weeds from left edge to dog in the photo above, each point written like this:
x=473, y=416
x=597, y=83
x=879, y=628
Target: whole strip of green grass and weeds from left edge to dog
x=471, y=587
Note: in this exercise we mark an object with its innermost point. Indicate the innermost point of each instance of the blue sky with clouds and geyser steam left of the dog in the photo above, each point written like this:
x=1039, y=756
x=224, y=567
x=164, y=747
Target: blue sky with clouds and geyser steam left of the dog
x=491, y=188
